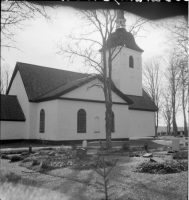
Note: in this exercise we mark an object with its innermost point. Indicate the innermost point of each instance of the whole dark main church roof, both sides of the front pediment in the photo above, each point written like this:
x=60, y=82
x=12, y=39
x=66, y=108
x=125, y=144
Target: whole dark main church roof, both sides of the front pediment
x=42, y=84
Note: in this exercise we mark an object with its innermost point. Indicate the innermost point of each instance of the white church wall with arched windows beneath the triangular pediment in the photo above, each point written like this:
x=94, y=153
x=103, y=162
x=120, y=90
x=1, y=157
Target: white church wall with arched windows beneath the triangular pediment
x=67, y=120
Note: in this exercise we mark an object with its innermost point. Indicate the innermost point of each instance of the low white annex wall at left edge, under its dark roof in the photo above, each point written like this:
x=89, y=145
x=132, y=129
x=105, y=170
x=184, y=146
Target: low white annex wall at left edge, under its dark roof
x=11, y=130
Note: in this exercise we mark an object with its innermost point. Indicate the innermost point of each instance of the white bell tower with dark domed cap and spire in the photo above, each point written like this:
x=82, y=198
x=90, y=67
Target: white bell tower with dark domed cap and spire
x=127, y=65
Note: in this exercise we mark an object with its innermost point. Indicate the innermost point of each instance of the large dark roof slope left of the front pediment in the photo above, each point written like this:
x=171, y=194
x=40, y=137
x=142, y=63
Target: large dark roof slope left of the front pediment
x=41, y=80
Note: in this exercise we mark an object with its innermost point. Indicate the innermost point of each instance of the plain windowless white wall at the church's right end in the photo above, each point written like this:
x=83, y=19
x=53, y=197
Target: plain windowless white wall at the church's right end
x=142, y=123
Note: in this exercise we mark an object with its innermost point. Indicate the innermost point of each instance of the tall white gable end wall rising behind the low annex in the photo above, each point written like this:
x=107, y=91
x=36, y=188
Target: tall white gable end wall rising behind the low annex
x=17, y=88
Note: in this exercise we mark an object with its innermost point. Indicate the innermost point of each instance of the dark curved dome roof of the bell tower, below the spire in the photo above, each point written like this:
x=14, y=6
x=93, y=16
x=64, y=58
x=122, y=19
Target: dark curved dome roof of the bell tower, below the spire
x=122, y=38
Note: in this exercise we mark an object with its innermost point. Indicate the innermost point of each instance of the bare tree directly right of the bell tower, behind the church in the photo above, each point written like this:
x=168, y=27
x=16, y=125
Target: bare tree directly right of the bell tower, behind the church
x=153, y=83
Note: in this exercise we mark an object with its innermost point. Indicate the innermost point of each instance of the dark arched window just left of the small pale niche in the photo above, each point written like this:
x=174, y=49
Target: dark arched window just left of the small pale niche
x=81, y=121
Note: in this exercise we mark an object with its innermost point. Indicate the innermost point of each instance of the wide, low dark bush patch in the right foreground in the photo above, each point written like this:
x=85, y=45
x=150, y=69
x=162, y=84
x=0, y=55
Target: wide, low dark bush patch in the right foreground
x=162, y=168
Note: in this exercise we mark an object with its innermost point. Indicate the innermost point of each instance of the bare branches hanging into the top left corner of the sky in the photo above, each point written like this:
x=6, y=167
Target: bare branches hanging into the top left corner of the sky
x=14, y=14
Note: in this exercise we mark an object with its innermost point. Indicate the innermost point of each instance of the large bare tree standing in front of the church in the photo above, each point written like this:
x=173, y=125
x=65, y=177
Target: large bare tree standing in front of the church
x=98, y=25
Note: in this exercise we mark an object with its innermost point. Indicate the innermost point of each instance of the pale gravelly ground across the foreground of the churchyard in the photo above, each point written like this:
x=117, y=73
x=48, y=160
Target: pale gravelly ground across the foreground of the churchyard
x=68, y=184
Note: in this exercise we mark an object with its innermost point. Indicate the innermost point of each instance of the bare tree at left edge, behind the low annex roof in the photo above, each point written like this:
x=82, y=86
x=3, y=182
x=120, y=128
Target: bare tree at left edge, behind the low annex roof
x=5, y=78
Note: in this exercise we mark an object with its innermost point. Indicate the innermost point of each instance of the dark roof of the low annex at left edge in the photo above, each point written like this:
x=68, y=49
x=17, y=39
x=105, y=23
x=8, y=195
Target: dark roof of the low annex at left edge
x=11, y=109
